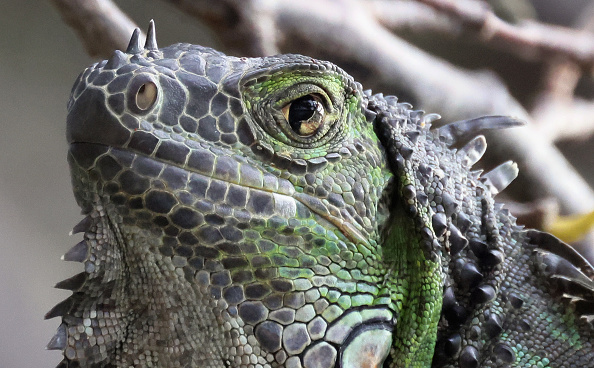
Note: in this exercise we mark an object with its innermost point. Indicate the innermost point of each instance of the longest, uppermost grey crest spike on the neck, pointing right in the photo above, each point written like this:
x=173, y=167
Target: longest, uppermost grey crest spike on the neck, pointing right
x=463, y=130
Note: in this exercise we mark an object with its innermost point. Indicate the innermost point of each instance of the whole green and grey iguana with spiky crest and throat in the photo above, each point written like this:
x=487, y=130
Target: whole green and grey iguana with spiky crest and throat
x=269, y=212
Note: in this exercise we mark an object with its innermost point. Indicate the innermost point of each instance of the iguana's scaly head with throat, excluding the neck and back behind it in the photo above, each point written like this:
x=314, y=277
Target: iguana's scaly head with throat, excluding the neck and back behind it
x=234, y=213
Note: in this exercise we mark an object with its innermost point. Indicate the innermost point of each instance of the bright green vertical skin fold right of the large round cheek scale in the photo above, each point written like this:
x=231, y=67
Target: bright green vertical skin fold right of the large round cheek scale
x=415, y=285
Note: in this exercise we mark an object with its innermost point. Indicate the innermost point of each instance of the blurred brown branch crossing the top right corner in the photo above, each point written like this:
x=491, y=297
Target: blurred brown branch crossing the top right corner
x=530, y=40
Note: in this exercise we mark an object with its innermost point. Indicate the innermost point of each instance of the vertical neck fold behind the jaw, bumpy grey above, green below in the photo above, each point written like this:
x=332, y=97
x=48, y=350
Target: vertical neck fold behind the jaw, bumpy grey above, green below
x=412, y=249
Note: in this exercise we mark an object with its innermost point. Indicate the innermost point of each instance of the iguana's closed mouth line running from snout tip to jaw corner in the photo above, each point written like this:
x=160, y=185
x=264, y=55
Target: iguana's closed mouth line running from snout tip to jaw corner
x=282, y=190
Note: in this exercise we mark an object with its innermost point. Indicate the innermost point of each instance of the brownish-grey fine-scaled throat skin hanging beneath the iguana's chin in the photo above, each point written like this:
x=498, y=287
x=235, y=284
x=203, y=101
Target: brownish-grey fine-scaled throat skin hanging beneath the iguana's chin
x=153, y=304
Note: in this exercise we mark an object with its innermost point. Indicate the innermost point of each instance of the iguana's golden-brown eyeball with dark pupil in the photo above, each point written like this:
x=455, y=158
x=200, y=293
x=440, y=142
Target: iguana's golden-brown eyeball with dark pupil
x=305, y=115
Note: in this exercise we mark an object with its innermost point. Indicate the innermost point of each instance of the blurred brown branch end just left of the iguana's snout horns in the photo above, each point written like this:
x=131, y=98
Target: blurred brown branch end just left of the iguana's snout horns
x=101, y=25
